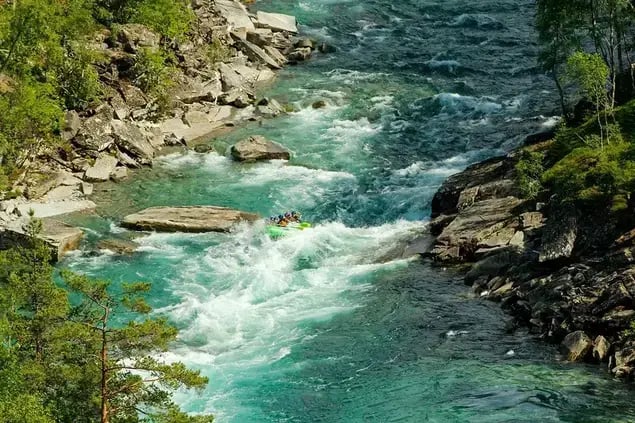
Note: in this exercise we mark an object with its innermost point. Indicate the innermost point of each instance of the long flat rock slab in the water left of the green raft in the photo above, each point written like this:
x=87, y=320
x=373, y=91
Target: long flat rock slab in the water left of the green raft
x=187, y=219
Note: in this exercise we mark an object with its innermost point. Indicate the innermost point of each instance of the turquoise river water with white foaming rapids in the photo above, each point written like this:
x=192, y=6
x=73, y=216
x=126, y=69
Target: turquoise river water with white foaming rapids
x=329, y=325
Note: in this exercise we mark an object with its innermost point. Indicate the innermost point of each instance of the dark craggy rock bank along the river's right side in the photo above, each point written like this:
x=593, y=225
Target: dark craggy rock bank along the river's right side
x=567, y=276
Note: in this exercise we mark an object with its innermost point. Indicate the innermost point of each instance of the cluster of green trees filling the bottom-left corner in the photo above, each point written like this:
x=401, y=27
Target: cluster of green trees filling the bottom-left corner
x=68, y=362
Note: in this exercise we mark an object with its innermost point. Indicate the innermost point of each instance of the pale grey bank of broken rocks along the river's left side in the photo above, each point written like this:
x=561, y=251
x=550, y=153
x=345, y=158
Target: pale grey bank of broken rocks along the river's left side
x=229, y=55
